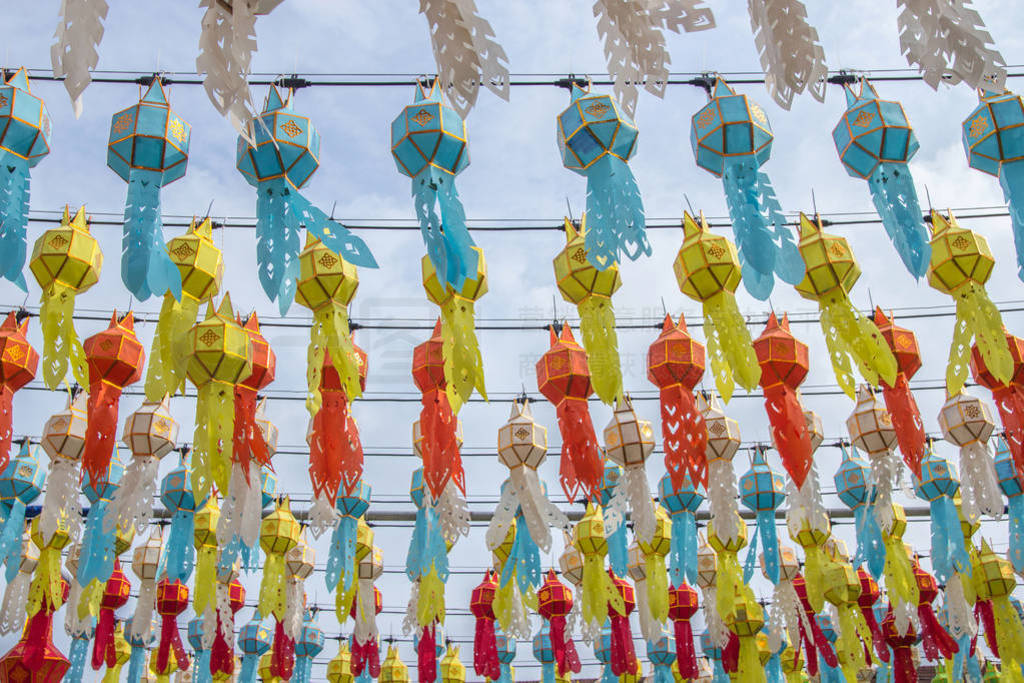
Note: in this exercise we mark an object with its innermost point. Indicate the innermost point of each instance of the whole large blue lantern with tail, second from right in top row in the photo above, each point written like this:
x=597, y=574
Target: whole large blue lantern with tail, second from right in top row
x=875, y=142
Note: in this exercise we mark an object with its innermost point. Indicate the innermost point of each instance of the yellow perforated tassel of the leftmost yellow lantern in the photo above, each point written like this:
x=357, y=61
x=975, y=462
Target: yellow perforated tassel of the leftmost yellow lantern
x=61, y=344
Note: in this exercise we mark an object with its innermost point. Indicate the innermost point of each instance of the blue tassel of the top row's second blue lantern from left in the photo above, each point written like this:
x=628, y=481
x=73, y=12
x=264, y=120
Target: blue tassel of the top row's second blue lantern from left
x=146, y=267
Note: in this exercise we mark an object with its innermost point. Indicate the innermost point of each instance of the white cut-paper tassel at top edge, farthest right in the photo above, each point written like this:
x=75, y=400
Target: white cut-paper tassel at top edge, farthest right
x=947, y=41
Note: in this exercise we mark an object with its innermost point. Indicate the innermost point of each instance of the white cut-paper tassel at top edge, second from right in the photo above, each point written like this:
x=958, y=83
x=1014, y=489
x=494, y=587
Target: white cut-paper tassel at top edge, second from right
x=792, y=58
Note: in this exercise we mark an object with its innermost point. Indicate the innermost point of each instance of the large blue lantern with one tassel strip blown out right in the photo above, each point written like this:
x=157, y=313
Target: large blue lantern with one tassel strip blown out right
x=283, y=157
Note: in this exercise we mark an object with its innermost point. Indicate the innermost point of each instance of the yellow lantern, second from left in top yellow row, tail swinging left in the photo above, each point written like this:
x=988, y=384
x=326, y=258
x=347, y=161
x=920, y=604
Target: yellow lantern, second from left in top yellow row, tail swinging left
x=201, y=267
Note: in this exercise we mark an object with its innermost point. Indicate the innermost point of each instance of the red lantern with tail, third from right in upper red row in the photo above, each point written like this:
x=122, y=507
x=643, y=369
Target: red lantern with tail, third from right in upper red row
x=785, y=364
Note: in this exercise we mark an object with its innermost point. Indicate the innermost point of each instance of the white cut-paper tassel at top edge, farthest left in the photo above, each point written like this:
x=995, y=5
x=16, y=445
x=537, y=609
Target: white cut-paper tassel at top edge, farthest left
x=74, y=54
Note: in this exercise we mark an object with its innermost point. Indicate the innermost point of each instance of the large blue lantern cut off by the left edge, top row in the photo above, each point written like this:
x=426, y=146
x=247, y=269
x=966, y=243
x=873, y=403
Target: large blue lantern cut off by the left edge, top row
x=25, y=140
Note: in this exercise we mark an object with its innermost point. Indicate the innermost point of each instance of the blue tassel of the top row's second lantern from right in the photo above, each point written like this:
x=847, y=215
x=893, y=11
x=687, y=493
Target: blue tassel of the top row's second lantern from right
x=897, y=201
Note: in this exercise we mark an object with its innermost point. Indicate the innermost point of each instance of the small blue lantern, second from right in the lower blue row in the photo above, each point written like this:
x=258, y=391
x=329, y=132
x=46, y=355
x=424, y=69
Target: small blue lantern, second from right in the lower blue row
x=937, y=485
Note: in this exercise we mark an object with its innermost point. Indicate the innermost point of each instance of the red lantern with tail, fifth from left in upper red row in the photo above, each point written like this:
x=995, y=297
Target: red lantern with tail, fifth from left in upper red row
x=442, y=461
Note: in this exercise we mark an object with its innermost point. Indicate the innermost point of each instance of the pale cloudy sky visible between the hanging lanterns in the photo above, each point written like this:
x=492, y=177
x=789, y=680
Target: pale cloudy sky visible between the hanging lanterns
x=516, y=177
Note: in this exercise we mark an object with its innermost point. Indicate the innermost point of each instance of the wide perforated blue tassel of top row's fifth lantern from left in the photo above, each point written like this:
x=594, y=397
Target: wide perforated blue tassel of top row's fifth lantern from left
x=615, y=214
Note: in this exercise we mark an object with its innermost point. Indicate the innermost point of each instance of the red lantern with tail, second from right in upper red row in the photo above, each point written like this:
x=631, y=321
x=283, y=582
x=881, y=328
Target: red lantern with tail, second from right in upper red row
x=900, y=402
